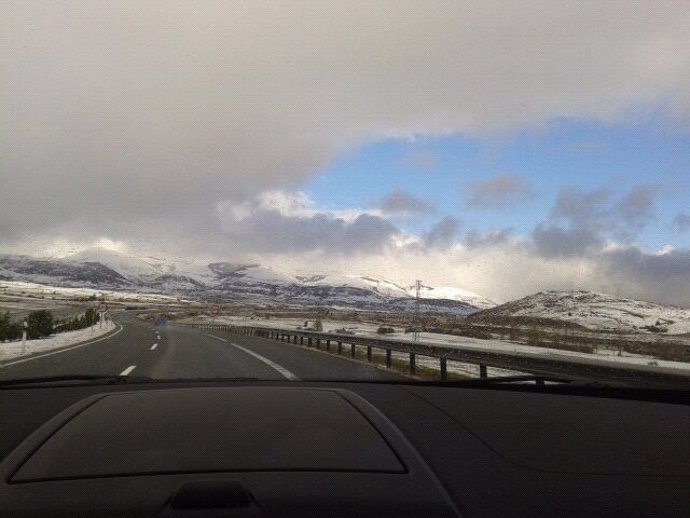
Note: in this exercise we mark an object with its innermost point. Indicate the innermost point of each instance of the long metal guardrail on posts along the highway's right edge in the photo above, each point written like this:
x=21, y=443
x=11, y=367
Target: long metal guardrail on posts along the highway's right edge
x=542, y=364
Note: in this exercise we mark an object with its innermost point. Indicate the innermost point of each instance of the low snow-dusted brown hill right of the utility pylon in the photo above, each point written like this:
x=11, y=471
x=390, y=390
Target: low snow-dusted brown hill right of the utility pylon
x=595, y=311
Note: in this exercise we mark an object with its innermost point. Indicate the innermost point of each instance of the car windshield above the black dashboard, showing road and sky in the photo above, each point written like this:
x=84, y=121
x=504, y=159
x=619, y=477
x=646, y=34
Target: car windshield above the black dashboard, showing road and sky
x=345, y=190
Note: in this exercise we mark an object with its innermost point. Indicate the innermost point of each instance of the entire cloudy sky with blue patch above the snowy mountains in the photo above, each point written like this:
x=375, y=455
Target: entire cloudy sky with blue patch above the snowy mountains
x=502, y=147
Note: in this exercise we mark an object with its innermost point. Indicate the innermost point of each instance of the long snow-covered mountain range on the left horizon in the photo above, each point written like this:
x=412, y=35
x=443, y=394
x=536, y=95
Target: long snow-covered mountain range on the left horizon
x=105, y=269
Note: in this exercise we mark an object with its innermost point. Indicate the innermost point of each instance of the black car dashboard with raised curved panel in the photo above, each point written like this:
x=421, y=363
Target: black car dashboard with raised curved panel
x=245, y=448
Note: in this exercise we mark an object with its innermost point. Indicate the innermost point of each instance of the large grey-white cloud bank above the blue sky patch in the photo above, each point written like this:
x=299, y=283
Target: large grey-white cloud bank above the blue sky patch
x=160, y=111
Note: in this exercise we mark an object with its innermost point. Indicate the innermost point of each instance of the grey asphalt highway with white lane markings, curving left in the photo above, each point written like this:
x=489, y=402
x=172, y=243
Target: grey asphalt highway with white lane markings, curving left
x=140, y=349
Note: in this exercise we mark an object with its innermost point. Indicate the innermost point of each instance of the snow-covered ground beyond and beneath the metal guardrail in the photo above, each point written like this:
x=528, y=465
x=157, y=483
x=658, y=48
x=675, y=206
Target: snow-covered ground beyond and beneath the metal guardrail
x=367, y=329
